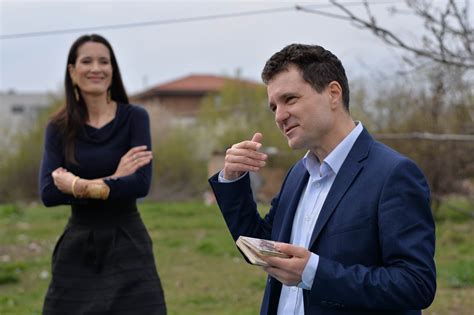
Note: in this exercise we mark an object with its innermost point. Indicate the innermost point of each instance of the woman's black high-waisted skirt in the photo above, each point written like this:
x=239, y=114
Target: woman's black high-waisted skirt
x=104, y=266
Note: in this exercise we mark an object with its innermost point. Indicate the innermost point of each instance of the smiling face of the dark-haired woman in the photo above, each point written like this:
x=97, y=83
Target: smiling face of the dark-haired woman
x=92, y=72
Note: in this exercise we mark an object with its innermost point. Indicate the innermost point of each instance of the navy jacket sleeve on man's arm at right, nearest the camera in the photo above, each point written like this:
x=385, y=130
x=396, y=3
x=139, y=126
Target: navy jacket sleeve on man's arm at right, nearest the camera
x=407, y=277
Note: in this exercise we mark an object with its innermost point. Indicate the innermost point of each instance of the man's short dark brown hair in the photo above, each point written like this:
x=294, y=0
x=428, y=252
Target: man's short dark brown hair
x=318, y=67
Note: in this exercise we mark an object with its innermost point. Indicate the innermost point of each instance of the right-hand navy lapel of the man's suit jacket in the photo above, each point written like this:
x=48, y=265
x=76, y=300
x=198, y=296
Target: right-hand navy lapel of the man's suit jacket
x=344, y=179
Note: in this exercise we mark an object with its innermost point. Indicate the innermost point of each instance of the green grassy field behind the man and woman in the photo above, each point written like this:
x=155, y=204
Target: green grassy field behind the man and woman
x=201, y=270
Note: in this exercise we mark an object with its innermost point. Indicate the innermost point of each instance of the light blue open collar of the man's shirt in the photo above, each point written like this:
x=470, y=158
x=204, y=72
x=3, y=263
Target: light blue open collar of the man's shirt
x=336, y=157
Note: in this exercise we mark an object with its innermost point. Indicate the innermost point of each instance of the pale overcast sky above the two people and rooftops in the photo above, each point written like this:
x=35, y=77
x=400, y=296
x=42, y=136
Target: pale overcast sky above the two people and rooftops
x=151, y=55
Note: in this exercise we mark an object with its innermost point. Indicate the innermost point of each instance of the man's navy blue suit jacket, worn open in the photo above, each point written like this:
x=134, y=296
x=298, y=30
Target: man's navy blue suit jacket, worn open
x=375, y=234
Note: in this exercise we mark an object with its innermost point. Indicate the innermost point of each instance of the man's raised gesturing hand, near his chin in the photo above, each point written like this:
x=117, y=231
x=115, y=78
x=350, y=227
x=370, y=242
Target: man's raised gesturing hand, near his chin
x=244, y=157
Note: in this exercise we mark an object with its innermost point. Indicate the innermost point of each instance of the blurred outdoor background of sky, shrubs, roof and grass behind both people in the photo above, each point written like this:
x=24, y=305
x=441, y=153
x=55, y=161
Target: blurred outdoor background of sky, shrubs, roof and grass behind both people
x=195, y=66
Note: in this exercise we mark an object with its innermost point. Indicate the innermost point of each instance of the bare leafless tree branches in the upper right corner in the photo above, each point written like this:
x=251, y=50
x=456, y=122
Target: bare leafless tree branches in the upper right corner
x=448, y=38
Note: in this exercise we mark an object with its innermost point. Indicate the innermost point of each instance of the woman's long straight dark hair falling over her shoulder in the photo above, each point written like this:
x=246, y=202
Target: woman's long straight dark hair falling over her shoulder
x=70, y=118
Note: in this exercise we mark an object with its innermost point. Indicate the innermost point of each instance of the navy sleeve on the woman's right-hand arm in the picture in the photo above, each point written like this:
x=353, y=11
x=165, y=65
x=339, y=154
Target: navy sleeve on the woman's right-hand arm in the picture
x=137, y=184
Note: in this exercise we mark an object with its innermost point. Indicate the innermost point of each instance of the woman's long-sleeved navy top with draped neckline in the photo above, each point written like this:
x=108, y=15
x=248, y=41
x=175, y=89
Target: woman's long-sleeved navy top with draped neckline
x=98, y=153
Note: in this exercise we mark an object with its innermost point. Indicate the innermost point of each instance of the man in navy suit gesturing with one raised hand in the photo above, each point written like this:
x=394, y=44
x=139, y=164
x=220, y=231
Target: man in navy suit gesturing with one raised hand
x=353, y=214
